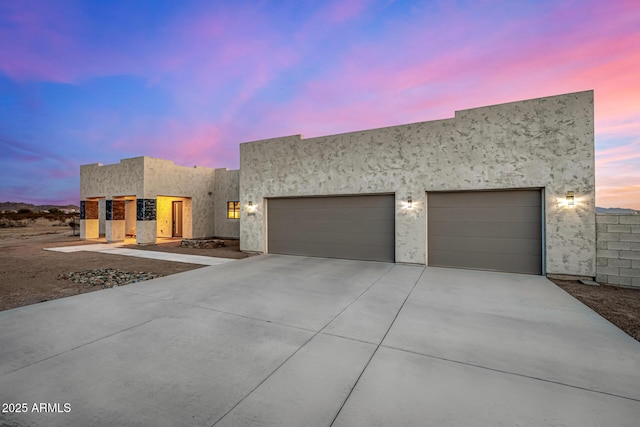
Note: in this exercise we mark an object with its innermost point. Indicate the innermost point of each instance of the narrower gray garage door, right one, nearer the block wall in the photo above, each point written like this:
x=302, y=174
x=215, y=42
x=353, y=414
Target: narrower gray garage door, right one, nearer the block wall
x=486, y=230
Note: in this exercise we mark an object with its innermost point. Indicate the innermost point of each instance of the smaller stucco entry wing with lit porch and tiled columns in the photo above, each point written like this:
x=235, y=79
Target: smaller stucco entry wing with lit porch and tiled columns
x=147, y=198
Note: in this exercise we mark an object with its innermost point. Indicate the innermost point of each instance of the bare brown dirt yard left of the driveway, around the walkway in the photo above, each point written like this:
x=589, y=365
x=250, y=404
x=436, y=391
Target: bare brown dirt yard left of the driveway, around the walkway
x=29, y=274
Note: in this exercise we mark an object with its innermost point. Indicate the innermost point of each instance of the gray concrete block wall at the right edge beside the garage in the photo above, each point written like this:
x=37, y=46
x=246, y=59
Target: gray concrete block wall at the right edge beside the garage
x=618, y=249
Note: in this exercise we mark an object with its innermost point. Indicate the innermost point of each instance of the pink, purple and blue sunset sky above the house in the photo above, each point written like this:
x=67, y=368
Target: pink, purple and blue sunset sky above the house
x=97, y=81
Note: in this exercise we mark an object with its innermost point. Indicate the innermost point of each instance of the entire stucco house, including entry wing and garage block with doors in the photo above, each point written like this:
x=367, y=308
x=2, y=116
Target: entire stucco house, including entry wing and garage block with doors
x=509, y=187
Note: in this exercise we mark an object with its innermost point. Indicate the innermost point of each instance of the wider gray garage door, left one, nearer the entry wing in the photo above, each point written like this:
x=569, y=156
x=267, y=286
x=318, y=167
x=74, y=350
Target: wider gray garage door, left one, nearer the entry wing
x=351, y=227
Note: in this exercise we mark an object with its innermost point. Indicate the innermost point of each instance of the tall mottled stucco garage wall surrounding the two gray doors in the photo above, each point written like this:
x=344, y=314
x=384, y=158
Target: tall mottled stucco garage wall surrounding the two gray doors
x=541, y=143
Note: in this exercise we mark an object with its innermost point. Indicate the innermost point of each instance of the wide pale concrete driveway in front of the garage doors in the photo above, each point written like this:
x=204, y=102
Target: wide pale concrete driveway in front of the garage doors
x=292, y=341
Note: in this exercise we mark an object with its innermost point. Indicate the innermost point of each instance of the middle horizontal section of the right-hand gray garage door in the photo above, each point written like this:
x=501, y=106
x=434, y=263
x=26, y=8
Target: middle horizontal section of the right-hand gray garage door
x=472, y=229
